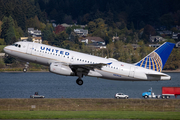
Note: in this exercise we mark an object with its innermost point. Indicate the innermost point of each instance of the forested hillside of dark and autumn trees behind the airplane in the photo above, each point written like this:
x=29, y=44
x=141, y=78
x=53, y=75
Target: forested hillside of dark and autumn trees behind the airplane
x=132, y=21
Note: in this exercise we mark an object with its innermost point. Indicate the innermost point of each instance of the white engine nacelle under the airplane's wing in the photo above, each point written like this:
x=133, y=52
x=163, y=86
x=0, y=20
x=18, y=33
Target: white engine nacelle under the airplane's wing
x=58, y=68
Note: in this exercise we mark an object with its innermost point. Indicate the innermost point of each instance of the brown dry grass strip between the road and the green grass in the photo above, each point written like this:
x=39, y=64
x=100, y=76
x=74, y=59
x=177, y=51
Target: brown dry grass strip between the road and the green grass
x=89, y=105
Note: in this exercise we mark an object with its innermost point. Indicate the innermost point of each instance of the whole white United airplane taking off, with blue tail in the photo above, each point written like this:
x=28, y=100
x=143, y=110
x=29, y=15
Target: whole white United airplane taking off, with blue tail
x=71, y=63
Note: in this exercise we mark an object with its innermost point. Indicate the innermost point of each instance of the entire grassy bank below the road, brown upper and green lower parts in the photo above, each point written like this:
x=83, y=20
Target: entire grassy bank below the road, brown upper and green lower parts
x=89, y=109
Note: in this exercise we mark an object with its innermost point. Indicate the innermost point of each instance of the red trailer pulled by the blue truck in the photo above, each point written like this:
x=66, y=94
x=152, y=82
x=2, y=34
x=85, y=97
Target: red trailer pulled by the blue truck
x=170, y=91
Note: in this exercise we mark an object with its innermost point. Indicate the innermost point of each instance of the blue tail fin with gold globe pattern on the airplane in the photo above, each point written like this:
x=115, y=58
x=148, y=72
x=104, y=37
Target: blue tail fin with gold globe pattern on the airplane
x=157, y=59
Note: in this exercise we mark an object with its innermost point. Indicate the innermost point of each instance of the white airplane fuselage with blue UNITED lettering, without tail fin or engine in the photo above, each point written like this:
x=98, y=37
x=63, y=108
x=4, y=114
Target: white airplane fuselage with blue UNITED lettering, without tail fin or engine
x=45, y=54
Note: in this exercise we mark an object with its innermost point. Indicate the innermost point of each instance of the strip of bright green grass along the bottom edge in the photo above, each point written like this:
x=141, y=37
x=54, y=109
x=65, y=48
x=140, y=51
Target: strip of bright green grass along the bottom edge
x=88, y=115
